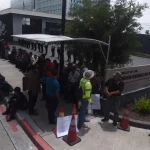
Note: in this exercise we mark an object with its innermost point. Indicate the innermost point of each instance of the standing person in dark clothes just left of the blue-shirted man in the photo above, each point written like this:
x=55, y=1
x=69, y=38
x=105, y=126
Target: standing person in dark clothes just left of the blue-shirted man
x=34, y=88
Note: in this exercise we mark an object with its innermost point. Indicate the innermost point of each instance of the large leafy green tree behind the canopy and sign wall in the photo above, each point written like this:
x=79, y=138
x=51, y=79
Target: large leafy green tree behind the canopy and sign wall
x=98, y=20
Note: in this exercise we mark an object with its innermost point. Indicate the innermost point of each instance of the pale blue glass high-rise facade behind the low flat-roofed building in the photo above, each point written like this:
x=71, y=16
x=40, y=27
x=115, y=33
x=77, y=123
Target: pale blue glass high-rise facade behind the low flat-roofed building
x=47, y=6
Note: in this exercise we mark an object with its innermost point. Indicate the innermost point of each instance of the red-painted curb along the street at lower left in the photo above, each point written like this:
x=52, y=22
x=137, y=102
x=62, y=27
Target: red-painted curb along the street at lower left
x=39, y=142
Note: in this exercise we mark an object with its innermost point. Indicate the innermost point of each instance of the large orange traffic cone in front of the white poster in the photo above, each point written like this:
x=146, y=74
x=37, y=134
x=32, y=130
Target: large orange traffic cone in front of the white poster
x=72, y=138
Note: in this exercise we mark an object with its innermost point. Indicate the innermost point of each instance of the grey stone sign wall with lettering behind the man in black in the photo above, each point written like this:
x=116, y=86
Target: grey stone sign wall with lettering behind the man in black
x=135, y=78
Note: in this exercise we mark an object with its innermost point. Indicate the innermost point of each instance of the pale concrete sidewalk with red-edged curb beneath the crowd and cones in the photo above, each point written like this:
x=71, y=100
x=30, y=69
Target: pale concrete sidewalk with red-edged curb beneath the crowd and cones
x=99, y=136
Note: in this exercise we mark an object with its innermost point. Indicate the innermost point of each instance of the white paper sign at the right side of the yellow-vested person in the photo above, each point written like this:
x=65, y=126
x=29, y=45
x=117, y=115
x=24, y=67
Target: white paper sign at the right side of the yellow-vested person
x=96, y=101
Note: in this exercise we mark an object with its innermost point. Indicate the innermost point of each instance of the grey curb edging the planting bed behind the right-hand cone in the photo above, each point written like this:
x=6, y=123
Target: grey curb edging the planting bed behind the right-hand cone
x=135, y=123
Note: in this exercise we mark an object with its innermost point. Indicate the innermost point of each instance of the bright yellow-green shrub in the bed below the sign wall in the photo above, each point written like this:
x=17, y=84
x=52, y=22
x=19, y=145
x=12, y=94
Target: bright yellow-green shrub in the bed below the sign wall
x=142, y=105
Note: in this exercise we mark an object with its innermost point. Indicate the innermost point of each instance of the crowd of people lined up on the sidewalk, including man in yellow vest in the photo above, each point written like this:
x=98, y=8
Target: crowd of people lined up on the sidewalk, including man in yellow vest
x=76, y=84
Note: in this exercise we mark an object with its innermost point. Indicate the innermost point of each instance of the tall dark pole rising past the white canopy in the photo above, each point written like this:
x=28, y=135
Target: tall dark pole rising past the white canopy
x=62, y=33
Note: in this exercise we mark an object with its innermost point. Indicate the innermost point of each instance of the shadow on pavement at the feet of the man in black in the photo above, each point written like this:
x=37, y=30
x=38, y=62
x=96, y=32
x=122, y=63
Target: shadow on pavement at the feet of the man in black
x=107, y=127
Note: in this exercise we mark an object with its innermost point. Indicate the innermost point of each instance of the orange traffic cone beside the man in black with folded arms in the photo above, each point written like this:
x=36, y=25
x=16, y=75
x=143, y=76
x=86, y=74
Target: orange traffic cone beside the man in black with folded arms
x=124, y=123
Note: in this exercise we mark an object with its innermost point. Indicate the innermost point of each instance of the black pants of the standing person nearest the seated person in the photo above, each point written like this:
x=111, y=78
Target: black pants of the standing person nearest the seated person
x=32, y=102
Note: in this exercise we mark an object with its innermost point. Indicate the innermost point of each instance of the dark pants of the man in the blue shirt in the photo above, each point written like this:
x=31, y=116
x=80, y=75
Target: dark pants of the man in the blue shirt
x=52, y=103
